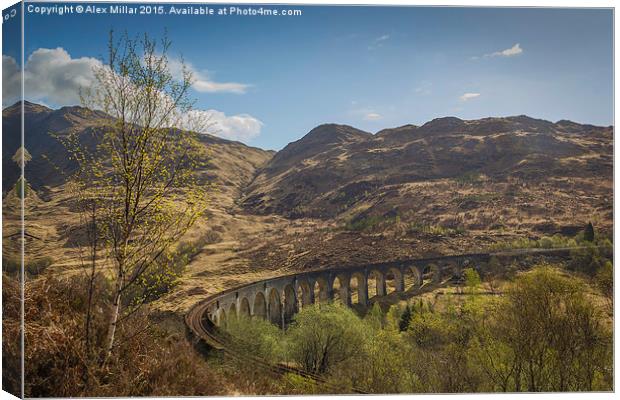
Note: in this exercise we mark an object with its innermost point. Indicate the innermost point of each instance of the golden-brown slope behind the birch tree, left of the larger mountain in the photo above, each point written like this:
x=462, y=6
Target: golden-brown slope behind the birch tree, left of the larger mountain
x=50, y=216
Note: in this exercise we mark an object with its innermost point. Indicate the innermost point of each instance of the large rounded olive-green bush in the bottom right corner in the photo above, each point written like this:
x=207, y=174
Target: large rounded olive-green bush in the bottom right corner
x=556, y=334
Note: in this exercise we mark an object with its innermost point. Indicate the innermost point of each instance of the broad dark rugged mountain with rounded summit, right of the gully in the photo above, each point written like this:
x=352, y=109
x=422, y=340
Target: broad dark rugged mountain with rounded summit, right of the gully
x=337, y=170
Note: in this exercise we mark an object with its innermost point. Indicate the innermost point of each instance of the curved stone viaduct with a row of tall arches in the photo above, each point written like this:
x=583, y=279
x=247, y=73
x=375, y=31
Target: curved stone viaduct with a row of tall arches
x=279, y=299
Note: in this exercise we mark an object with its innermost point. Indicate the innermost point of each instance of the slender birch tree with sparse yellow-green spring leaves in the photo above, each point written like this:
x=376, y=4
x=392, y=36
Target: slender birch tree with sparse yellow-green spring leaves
x=138, y=184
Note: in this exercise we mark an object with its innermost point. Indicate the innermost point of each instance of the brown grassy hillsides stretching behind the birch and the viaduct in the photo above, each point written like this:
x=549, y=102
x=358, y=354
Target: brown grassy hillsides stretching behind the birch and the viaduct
x=342, y=196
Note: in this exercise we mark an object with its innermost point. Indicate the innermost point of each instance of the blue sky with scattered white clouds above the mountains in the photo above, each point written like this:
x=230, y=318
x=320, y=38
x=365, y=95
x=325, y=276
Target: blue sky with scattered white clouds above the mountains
x=268, y=80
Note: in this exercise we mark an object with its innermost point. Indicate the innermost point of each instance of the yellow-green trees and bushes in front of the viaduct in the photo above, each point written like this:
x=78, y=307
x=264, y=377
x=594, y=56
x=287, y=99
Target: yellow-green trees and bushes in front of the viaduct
x=545, y=334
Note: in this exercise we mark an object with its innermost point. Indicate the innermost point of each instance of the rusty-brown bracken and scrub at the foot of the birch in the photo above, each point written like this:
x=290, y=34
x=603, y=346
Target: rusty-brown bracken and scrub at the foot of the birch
x=146, y=362
